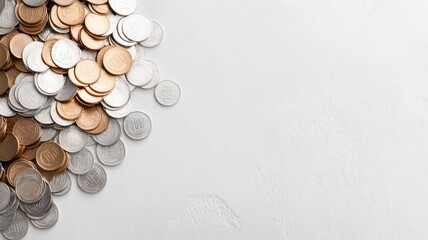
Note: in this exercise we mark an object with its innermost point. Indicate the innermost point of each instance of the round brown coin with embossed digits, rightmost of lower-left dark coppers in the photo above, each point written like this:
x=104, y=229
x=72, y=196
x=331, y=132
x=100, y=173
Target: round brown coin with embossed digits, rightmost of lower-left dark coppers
x=50, y=156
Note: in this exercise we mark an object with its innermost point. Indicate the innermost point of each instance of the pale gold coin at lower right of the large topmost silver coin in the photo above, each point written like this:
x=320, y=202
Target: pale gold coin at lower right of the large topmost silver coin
x=87, y=71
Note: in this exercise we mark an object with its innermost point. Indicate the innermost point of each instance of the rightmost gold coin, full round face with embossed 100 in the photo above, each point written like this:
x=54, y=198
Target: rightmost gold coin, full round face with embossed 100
x=117, y=61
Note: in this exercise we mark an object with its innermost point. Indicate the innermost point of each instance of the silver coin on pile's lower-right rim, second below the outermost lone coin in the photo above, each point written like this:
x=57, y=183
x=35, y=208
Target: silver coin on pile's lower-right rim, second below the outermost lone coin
x=111, y=155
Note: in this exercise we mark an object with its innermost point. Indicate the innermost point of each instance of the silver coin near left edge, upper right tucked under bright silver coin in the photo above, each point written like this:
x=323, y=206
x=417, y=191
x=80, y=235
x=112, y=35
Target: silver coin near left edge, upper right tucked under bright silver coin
x=30, y=97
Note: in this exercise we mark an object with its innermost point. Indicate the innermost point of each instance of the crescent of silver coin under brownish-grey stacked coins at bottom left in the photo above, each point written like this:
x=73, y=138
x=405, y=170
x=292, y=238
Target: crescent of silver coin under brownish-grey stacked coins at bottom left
x=38, y=209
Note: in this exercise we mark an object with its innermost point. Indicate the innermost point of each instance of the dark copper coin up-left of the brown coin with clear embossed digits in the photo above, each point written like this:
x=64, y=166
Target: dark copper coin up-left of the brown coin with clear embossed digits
x=28, y=131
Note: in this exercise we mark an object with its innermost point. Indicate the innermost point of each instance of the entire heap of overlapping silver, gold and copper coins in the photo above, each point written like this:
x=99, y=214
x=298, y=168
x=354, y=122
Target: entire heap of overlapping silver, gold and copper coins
x=67, y=71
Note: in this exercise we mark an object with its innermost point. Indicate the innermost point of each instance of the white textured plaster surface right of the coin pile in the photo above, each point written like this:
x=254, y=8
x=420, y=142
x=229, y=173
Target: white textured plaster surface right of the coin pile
x=300, y=120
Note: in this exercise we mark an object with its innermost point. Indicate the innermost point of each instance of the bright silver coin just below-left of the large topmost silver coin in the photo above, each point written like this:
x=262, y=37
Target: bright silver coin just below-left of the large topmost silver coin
x=49, y=82
